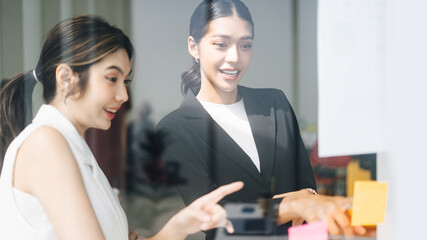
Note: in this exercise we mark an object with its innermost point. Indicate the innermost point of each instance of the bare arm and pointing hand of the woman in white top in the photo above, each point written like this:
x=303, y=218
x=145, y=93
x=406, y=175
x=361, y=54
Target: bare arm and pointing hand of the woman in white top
x=46, y=168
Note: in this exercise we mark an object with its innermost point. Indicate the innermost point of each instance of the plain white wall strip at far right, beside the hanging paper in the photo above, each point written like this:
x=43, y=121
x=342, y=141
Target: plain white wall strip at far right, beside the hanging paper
x=404, y=162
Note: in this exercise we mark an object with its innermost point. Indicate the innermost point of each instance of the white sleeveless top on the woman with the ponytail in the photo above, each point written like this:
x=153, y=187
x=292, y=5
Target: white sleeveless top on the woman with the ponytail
x=21, y=214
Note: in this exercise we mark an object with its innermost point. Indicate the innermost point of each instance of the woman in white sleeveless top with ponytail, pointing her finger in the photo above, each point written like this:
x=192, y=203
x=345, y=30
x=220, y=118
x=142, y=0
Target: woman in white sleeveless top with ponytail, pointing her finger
x=51, y=186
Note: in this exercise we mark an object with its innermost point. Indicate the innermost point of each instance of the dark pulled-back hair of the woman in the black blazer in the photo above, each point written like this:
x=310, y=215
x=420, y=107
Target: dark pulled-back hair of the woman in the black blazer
x=205, y=12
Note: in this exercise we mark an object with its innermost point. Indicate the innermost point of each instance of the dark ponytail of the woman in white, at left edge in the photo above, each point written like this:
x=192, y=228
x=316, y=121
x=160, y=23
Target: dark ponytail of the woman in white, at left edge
x=15, y=108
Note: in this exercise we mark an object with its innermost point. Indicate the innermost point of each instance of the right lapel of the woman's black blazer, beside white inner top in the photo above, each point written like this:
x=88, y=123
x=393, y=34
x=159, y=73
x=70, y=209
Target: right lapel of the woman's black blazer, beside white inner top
x=261, y=115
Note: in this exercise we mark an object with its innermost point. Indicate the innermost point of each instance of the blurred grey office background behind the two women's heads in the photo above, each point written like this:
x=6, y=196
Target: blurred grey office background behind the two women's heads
x=284, y=47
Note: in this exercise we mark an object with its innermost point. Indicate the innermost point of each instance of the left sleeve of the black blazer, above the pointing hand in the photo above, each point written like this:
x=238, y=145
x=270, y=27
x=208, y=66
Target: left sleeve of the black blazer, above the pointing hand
x=185, y=163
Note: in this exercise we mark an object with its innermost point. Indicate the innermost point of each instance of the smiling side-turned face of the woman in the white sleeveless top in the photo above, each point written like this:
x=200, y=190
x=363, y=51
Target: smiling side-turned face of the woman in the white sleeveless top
x=105, y=93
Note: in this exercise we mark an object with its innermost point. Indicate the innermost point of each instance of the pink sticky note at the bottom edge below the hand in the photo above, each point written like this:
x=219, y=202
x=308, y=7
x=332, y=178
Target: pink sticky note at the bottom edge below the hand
x=311, y=231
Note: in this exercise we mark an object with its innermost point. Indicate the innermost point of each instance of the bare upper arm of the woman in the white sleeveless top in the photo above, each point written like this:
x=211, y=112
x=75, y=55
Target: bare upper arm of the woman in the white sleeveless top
x=46, y=168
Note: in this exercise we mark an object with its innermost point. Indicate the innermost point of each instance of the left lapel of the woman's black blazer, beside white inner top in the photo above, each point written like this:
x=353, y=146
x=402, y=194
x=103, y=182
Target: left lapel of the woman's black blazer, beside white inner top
x=221, y=144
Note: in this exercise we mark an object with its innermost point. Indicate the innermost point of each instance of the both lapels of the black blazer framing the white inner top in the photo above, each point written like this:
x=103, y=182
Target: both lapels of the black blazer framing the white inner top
x=261, y=116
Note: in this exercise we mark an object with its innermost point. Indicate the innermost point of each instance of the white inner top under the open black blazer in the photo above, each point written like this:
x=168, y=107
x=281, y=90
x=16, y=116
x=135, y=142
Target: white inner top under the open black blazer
x=233, y=119
